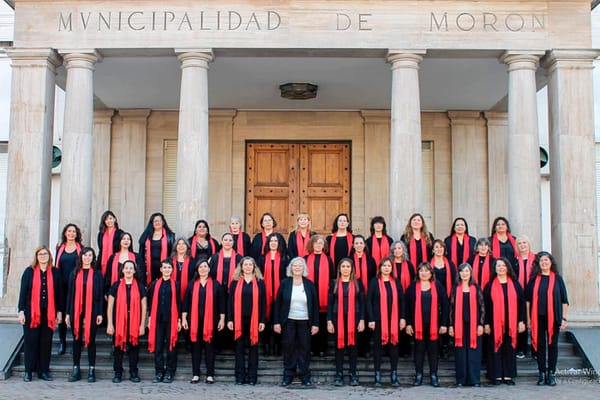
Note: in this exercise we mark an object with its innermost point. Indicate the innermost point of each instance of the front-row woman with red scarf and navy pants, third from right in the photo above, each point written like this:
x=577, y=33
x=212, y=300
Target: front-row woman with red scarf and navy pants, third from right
x=467, y=313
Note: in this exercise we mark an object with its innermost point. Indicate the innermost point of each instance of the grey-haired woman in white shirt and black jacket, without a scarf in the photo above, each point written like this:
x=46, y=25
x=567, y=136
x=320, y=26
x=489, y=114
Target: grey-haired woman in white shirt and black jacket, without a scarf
x=296, y=318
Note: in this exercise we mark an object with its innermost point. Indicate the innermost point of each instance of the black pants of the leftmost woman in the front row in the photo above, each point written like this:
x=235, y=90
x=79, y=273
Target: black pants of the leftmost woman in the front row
x=38, y=345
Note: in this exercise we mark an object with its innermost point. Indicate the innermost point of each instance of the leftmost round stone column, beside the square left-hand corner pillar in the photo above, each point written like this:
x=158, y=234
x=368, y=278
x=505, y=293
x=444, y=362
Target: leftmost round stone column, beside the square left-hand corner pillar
x=78, y=144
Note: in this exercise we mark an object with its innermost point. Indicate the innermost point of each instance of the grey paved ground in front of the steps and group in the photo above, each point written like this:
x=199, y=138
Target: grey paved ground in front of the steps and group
x=14, y=388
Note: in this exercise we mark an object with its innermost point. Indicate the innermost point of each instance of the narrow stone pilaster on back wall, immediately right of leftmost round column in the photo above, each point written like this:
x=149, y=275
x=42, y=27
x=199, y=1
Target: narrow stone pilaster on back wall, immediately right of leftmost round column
x=101, y=180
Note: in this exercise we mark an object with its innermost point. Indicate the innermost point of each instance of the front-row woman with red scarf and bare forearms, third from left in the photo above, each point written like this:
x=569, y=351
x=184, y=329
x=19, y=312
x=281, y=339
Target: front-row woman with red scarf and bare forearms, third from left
x=126, y=314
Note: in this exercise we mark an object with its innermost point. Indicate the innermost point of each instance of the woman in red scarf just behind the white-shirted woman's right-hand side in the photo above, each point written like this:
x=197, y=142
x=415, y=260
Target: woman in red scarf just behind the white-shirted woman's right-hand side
x=320, y=273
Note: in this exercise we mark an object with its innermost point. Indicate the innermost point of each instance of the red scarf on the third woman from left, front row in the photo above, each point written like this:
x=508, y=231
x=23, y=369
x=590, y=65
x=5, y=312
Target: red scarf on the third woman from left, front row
x=121, y=315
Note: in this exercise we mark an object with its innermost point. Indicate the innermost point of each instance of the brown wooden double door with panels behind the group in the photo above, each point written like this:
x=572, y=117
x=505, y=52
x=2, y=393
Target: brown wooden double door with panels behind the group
x=286, y=178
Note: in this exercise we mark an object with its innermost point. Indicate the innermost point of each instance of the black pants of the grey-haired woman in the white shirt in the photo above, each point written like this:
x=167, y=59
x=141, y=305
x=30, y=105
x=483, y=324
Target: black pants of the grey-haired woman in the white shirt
x=295, y=340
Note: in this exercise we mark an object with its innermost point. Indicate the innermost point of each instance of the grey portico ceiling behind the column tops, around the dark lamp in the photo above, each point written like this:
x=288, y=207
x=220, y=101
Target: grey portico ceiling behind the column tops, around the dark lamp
x=347, y=81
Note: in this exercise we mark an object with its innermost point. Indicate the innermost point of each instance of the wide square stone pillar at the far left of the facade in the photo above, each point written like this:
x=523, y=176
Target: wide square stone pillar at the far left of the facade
x=27, y=222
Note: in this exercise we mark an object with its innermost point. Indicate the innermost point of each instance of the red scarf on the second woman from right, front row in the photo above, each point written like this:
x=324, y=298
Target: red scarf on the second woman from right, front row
x=498, y=308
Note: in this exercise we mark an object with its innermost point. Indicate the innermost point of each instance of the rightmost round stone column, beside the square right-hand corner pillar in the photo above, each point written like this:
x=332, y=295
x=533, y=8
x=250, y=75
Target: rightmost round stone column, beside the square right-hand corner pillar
x=524, y=198
